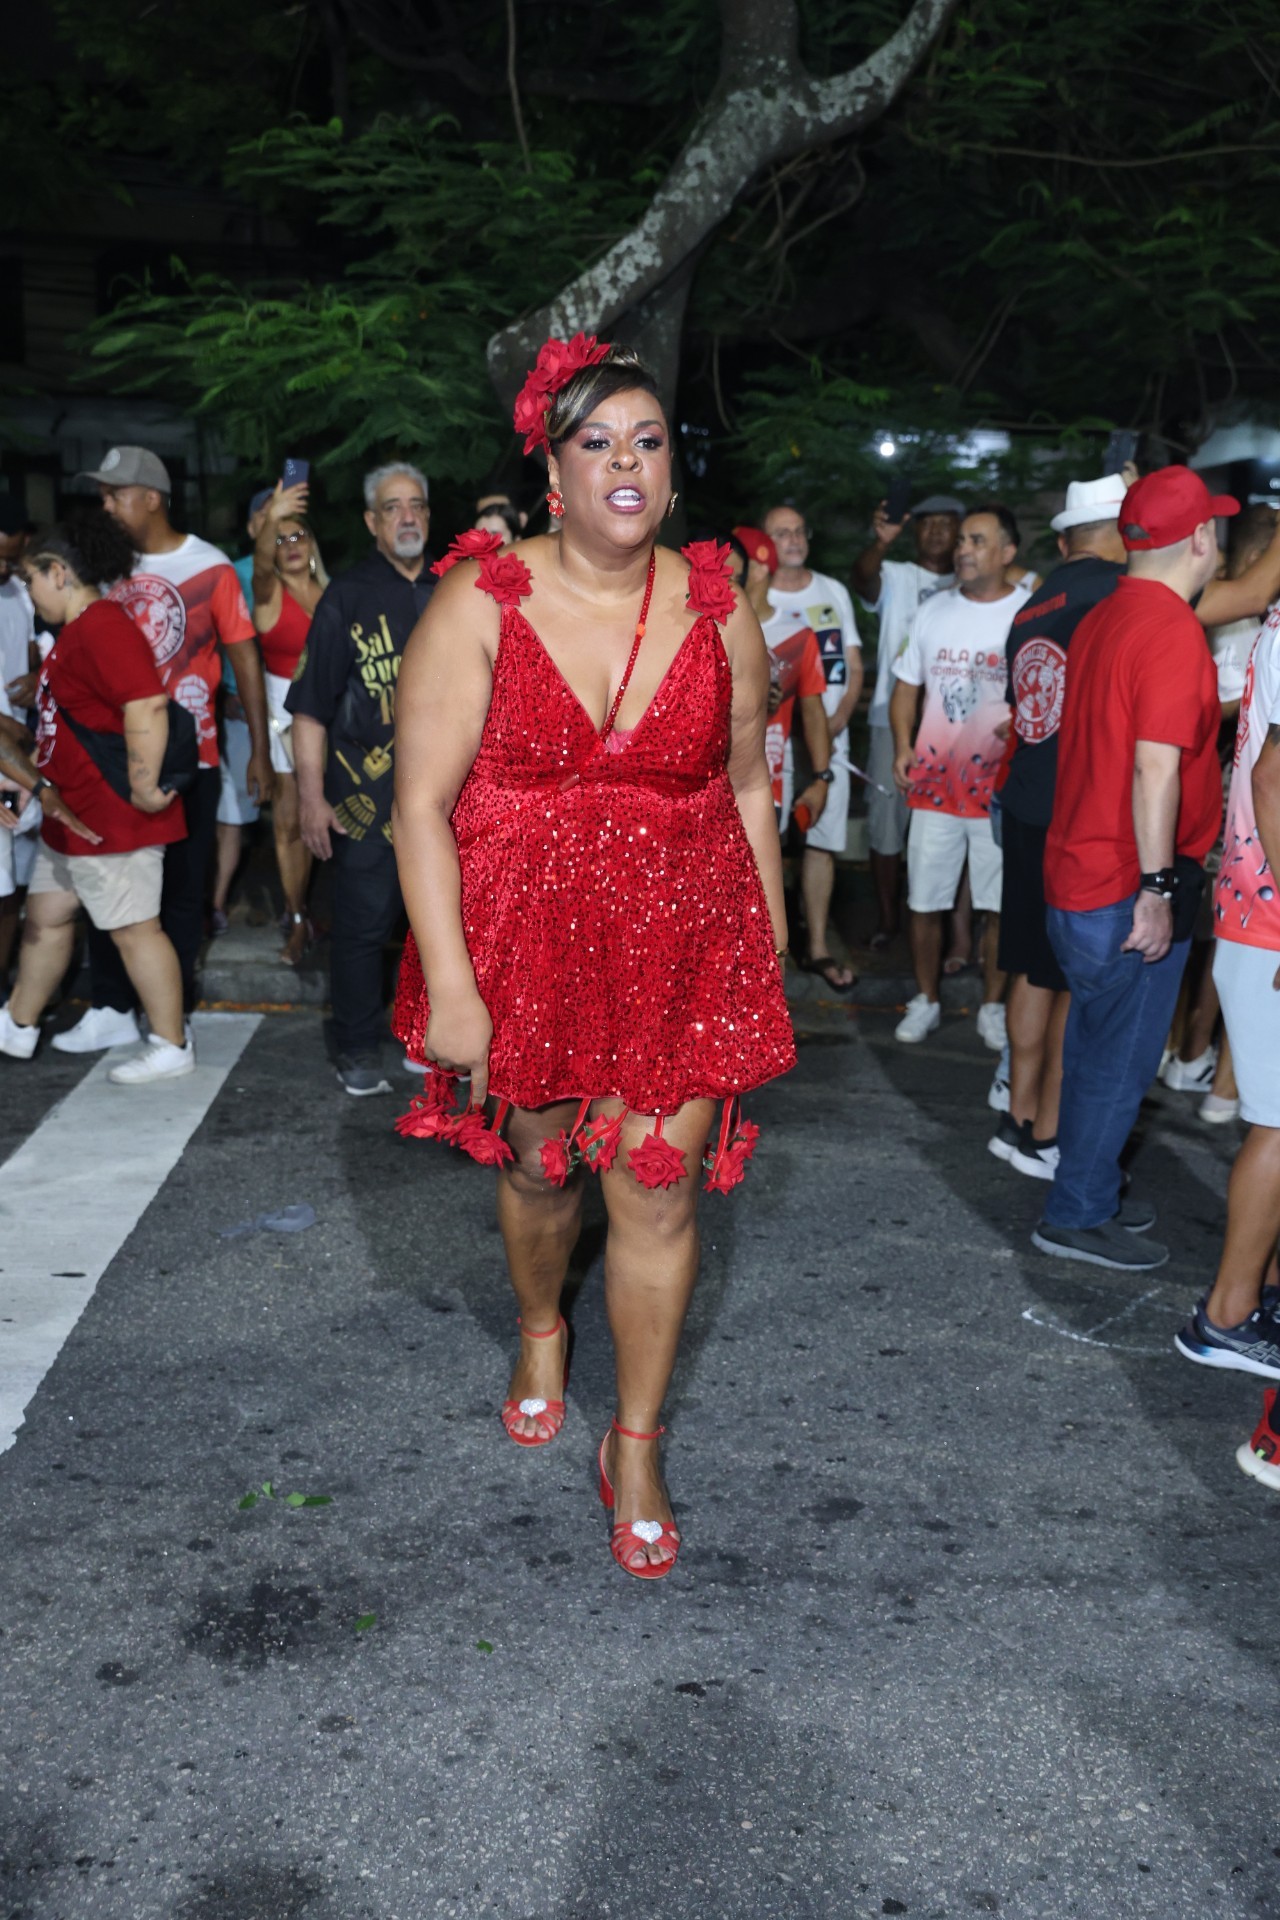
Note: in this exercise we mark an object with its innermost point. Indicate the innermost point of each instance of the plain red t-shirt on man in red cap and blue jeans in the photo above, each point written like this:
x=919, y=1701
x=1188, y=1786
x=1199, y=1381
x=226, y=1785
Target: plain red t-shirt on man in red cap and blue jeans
x=1139, y=669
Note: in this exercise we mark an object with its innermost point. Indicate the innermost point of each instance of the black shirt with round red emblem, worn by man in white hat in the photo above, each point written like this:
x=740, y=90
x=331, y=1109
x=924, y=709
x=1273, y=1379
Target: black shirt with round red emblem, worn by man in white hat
x=1037, y=658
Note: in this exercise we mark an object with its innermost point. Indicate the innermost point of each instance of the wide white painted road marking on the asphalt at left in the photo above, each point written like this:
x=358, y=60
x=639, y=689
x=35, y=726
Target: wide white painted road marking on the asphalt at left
x=72, y=1195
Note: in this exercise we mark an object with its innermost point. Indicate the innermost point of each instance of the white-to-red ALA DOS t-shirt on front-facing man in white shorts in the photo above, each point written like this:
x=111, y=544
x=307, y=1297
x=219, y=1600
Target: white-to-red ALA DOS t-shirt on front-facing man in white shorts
x=957, y=654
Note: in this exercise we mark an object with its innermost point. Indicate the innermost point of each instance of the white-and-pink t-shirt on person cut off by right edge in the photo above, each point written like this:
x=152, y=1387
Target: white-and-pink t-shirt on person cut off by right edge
x=1246, y=896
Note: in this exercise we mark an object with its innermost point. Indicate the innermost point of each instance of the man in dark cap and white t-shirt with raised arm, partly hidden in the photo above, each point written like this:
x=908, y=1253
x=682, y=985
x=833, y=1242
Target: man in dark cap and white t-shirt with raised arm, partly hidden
x=893, y=590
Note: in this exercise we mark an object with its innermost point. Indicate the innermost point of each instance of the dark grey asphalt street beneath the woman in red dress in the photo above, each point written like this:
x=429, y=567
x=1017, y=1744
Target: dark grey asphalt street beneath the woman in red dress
x=974, y=1610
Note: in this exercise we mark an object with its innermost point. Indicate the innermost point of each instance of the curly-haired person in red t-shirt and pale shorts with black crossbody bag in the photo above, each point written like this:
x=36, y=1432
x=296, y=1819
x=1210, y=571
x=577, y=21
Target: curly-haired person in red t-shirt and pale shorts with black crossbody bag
x=103, y=675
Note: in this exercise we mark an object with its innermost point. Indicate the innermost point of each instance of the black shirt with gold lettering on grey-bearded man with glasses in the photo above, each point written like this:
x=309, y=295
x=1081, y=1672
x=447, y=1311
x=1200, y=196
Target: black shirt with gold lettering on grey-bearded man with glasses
x=346, y=681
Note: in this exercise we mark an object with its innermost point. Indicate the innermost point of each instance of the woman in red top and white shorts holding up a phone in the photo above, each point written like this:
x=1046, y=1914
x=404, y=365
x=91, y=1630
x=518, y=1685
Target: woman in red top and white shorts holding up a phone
x=289, y=579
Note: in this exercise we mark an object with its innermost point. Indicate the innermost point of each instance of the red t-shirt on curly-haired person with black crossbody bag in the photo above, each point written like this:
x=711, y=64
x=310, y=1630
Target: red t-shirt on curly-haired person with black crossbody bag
x=99, y=663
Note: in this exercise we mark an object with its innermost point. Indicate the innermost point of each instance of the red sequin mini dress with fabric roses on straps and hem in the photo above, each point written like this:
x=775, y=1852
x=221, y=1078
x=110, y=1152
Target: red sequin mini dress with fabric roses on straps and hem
x=611, y=905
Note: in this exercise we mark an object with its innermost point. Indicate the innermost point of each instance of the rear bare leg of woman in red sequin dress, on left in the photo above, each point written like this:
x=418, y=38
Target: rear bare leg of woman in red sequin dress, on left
x=540, y=1230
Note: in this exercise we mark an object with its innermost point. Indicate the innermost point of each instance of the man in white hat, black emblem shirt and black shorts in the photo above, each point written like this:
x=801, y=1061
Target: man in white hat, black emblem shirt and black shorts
x=1093, y=550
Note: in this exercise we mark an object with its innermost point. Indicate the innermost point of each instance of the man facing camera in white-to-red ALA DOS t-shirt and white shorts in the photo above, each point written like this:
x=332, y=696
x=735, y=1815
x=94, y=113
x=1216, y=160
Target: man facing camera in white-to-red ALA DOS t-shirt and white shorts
x=947, y=767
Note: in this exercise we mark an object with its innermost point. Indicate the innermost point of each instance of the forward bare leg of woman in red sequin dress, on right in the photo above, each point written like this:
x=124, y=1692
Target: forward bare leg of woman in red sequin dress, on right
x=652, y=1262
